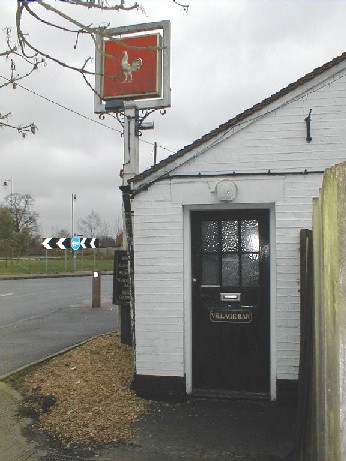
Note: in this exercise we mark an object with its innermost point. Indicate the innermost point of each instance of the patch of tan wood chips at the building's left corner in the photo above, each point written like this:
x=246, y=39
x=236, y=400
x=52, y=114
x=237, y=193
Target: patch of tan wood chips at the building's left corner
x=83, y=396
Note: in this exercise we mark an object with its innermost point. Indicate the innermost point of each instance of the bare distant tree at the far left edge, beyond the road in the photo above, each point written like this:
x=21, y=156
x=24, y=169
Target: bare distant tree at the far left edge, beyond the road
x=21, y=221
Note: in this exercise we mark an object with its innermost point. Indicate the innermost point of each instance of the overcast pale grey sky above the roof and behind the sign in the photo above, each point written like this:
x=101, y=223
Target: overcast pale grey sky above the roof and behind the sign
x=227, y=55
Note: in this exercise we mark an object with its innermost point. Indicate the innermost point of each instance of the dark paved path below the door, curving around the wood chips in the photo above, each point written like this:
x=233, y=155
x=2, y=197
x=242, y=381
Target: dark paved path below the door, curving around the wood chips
x=196, y=430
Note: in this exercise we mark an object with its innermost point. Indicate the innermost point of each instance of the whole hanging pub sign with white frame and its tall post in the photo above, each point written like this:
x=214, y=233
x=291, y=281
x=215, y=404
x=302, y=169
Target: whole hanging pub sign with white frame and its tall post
x=132, y=74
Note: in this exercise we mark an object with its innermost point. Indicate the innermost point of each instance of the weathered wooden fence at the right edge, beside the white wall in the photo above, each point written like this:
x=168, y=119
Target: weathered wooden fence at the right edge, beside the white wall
x=322, y=381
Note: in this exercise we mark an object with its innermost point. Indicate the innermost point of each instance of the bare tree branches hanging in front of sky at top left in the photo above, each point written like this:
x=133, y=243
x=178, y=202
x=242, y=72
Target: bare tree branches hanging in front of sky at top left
x=34, y=55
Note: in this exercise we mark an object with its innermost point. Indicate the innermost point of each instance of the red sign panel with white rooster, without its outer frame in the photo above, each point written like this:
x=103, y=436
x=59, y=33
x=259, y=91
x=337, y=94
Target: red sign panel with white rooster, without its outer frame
x=132, y=67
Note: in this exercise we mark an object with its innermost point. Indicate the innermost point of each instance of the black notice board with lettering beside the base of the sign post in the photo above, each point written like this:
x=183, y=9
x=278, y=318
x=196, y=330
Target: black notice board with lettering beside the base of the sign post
x=121, y=286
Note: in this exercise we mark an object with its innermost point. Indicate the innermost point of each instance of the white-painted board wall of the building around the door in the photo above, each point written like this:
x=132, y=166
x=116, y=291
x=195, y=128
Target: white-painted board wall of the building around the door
x=276, y=142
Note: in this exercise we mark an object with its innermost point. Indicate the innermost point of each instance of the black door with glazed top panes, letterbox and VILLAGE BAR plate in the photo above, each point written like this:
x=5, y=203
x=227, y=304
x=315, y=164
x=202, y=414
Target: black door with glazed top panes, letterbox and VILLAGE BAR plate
x=231, y=312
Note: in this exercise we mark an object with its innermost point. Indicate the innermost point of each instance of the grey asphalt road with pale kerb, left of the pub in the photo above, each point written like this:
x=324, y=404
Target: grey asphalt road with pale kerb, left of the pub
x=39, y=317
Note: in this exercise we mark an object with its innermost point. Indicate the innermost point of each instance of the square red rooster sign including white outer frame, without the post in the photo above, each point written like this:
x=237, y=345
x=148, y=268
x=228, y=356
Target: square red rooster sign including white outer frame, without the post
x=132, y=67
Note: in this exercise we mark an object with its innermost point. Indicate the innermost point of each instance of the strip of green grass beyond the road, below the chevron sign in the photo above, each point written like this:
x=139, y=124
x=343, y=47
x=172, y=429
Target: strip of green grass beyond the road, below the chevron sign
x=57, y=264
